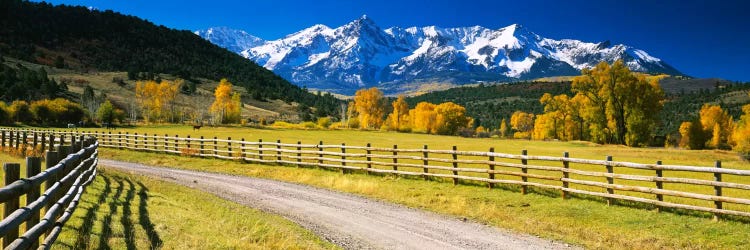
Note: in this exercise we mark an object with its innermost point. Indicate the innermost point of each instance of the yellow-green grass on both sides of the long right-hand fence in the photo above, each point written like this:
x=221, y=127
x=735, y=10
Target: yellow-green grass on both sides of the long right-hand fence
x=585, y=221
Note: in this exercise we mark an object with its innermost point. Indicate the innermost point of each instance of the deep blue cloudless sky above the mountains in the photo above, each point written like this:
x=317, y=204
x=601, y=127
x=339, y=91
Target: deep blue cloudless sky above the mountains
x=700, y=38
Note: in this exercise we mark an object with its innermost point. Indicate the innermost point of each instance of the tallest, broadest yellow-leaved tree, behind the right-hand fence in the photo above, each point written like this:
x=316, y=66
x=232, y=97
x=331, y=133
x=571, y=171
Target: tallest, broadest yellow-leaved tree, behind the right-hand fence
x=622, y=107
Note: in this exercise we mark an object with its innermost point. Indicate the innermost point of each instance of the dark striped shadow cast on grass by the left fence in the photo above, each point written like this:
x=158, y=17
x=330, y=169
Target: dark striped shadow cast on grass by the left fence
x=95, y=214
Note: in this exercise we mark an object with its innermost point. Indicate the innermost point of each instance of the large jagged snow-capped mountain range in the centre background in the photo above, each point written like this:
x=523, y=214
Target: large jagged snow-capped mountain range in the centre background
x=362, y=54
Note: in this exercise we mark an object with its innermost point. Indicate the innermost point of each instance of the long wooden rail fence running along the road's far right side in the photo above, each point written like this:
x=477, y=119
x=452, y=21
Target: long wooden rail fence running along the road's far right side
x=710, y=189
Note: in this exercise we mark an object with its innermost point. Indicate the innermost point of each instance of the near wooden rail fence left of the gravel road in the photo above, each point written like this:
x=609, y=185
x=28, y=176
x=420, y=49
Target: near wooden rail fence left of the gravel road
x=69, y=169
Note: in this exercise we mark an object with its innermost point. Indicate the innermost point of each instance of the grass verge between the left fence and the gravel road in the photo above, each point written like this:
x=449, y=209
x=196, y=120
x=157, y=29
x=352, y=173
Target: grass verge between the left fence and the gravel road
x=122, y=211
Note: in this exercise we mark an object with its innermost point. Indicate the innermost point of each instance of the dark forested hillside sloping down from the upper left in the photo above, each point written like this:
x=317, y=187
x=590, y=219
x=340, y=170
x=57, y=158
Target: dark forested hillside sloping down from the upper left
x=86, y=40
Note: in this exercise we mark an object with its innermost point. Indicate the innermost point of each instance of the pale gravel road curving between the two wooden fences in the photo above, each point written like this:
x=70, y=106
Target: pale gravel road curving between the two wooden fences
x=350, y=221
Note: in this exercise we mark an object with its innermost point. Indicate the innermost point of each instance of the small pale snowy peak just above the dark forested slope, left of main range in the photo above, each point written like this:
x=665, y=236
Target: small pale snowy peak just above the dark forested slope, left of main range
x=231, y=39
